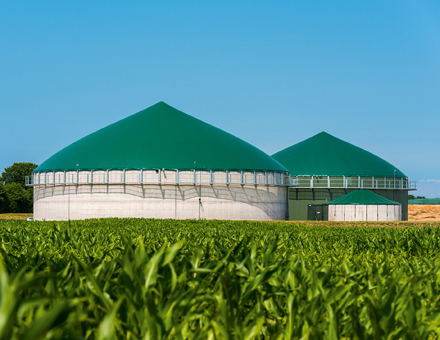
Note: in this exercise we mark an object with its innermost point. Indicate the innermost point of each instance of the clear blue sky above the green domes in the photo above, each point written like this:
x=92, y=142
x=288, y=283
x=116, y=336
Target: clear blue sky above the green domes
x=270, y=72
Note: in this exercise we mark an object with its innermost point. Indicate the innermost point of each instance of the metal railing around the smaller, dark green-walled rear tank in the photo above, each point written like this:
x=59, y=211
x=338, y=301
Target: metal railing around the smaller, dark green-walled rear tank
x=356, y=182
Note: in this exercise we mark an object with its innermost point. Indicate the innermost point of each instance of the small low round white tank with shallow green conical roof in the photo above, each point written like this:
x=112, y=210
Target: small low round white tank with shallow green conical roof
x=363, y=205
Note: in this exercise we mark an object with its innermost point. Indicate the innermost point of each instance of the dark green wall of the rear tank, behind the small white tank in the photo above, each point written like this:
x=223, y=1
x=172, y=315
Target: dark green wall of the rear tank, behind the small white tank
x=299, y=199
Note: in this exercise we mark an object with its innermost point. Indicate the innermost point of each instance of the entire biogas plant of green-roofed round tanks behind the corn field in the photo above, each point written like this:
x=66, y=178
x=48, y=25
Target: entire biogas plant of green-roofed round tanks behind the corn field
x=163, y=163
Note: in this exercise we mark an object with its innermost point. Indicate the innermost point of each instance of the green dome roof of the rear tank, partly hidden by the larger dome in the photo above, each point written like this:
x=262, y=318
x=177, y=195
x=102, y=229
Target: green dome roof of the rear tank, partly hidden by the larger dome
x=325, y=155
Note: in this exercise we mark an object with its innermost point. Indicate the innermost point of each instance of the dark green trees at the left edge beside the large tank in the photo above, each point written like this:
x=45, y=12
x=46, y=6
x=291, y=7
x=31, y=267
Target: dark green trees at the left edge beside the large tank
x=15, y=197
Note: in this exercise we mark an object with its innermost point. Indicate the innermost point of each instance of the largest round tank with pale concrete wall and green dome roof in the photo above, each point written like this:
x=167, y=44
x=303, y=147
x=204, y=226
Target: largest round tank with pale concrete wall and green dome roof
x=160, y=163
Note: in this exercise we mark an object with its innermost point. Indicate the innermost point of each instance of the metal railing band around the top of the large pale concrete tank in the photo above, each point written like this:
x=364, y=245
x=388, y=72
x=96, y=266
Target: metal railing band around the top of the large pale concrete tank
x=160, y=176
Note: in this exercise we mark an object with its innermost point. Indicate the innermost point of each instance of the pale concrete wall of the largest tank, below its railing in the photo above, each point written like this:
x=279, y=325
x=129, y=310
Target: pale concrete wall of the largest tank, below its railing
x=243, y=202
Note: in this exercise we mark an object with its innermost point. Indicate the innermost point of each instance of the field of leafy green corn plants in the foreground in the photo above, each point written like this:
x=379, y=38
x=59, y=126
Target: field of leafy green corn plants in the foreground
x=160, y=279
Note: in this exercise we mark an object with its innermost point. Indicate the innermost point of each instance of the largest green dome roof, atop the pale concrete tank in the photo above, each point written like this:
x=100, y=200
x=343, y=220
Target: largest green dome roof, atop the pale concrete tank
x=160, y=137
